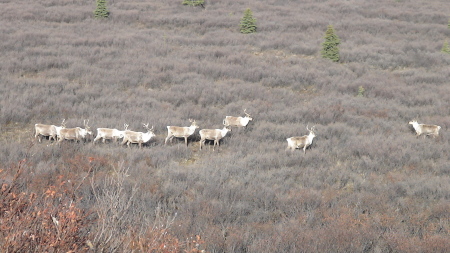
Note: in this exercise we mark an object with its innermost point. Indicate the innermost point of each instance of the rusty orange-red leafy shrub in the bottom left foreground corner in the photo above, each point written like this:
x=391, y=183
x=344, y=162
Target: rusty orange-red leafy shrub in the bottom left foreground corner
x=41, y=222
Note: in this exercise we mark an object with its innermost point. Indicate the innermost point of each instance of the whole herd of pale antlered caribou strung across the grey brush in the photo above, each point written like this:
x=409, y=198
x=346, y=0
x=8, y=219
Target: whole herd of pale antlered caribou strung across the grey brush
x=60, y=133
